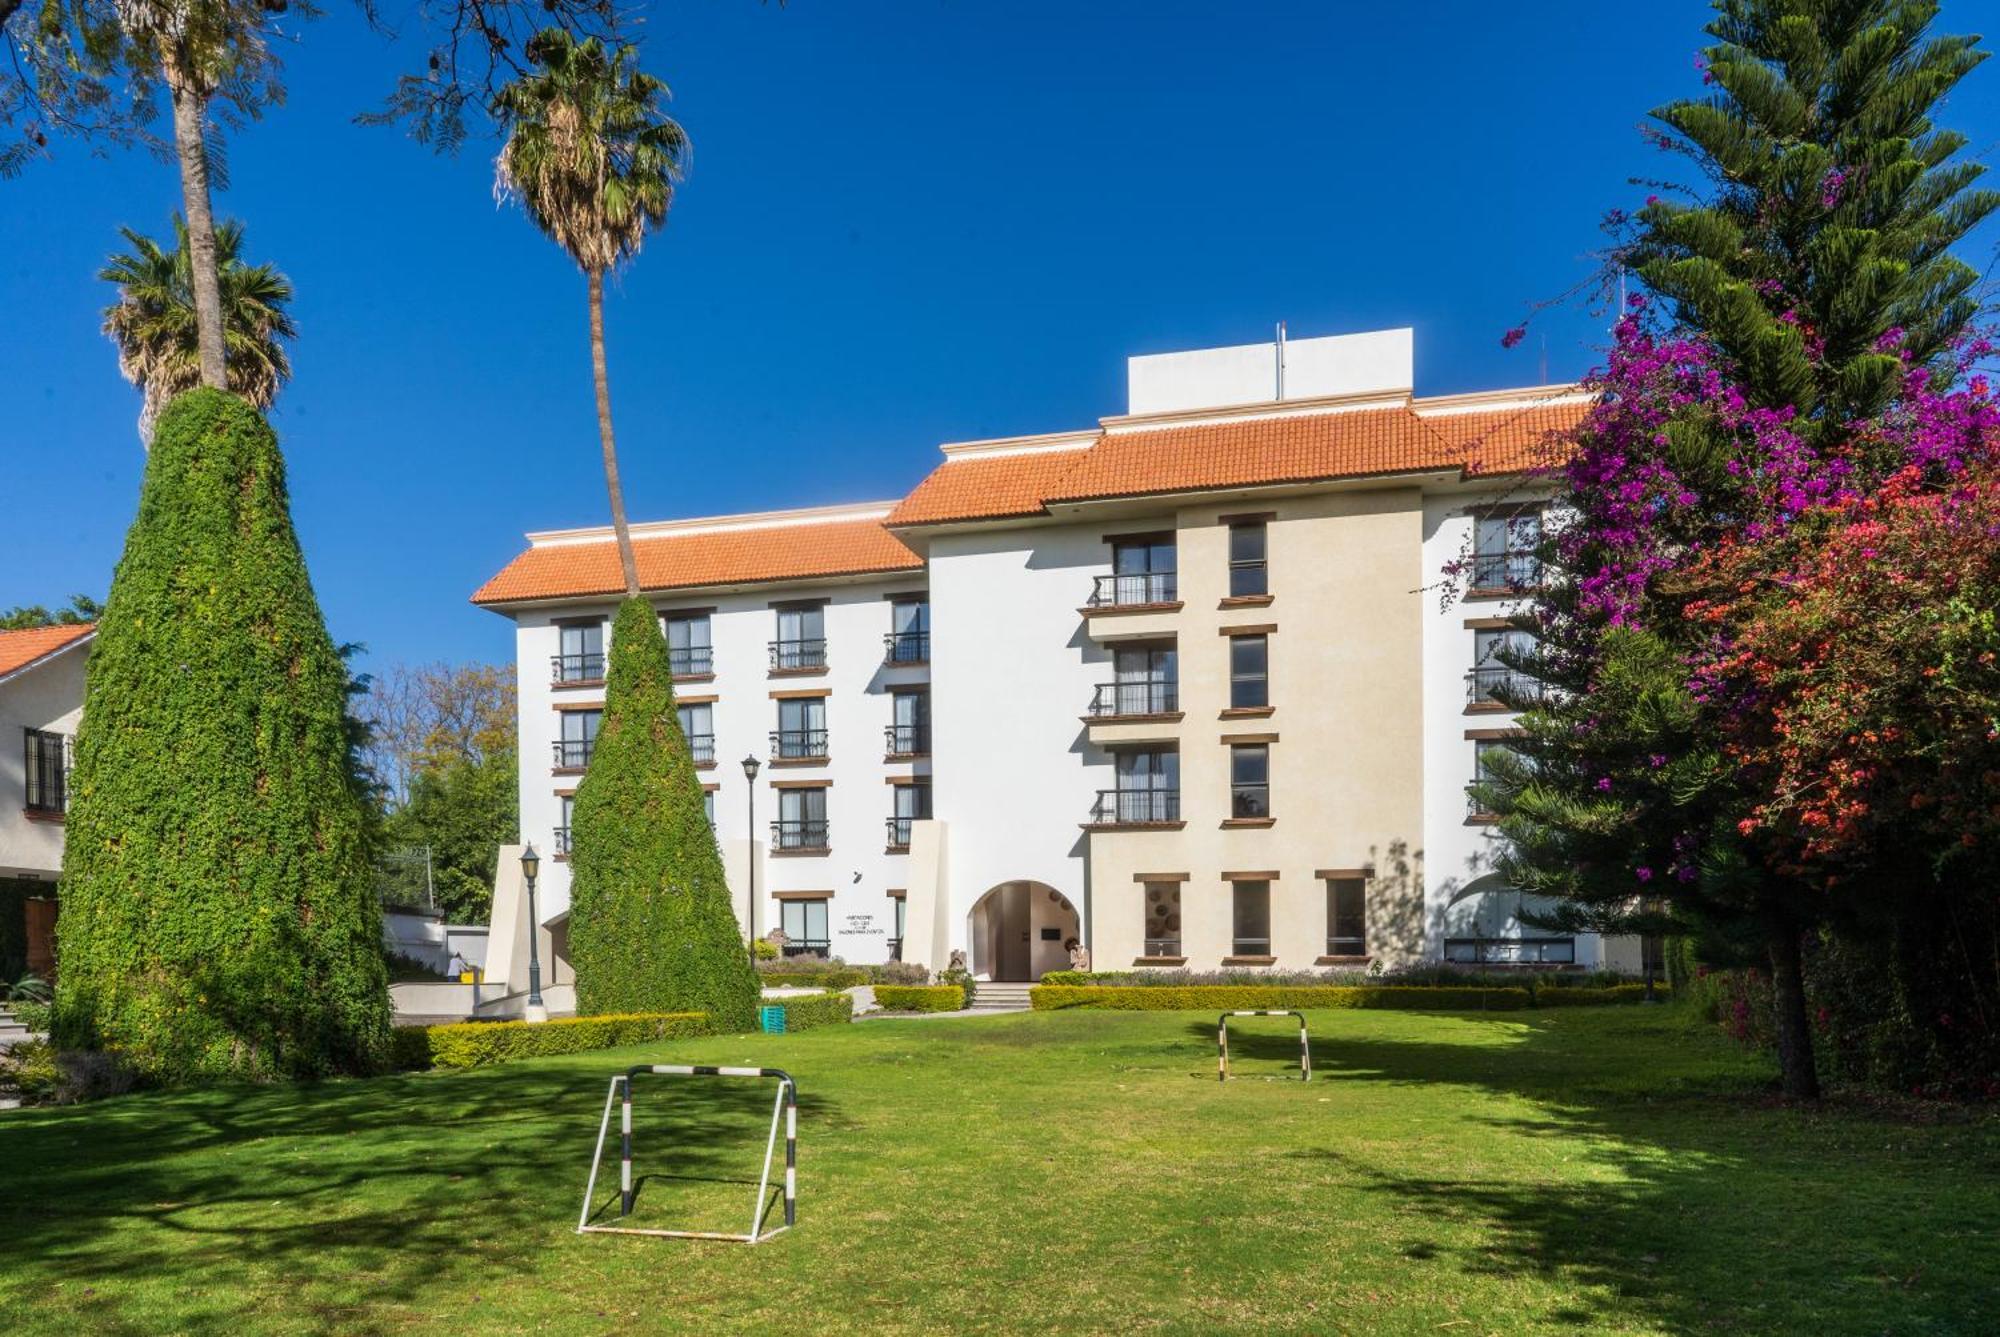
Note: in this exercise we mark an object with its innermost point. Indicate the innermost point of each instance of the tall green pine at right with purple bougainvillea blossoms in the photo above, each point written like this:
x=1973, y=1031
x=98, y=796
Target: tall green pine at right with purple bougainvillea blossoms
x=1803, y=279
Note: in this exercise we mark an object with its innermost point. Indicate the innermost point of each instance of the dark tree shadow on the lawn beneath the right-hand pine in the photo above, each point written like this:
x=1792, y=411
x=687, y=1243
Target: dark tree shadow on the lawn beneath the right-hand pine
x=1679, y=1200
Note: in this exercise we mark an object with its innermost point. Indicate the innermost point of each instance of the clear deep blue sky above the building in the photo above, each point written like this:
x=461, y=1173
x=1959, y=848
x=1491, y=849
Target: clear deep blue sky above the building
x=907, y=223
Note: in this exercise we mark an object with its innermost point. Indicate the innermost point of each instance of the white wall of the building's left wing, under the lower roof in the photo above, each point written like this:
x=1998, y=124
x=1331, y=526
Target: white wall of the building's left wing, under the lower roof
x=859, y=870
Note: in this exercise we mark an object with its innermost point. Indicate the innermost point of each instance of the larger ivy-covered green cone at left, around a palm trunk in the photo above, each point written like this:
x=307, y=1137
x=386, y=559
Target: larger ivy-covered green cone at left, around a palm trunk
x=217, y=908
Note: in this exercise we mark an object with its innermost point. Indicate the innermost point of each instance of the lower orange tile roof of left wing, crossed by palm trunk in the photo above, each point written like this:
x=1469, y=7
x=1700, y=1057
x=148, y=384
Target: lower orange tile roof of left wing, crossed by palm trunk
x=703, y=559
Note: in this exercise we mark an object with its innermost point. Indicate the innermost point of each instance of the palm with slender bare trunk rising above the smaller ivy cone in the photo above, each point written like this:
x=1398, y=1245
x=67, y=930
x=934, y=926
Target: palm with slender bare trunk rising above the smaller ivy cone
x=595, y=161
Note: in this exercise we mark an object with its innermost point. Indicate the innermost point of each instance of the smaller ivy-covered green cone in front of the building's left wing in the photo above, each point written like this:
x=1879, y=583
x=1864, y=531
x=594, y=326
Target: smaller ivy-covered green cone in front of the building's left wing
x=651, y=920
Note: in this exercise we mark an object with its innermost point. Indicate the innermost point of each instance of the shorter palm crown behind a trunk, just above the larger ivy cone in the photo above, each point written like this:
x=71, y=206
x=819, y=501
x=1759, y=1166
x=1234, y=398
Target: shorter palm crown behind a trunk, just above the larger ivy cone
x=155, y=319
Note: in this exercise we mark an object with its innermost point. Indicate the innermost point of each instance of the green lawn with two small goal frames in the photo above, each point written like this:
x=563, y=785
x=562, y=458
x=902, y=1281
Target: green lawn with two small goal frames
x=1581, y=1172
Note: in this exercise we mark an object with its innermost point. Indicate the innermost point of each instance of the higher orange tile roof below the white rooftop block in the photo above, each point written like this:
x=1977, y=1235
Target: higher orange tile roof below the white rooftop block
x=1187, y=457
